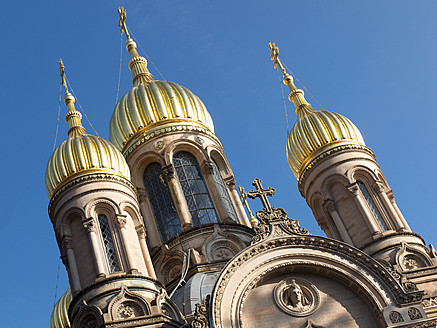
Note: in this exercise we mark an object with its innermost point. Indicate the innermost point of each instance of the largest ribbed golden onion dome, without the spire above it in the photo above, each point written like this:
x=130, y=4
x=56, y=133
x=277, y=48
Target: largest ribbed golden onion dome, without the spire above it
x=154, y=104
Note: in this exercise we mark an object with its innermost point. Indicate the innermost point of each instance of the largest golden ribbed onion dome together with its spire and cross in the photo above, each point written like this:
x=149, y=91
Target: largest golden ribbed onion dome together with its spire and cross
x=152, y=104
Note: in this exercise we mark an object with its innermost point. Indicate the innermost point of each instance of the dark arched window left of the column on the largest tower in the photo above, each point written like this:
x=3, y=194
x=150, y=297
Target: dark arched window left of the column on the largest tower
x=161, y=201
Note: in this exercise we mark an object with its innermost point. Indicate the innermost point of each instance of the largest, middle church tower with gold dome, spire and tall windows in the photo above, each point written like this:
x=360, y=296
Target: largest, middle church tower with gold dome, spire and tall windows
x=194, y=219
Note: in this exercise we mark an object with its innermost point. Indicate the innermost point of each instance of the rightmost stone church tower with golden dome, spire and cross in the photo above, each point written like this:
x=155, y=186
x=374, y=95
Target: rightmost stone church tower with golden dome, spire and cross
x=340, y=179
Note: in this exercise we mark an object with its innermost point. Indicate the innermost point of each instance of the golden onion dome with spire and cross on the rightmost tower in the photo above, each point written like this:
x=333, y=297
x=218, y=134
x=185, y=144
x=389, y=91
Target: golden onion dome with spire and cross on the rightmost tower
x=315, y=131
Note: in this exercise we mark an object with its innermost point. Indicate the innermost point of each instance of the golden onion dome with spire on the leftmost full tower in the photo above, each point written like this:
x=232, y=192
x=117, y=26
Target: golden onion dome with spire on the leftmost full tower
x=81, y=154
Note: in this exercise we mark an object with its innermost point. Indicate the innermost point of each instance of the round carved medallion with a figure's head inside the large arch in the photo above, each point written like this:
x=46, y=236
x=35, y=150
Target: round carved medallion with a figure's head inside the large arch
x=297, y=297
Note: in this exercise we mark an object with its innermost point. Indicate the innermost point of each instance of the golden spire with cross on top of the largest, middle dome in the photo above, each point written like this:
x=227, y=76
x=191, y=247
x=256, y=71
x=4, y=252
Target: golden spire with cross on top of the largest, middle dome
x=137, y=64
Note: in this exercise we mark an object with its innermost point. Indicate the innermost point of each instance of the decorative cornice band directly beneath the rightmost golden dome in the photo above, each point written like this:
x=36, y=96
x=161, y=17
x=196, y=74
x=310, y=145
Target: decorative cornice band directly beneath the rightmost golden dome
x=343, y=148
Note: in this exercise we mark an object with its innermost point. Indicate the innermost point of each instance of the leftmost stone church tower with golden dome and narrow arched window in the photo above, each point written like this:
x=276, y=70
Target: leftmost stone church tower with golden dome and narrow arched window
x=98, y=226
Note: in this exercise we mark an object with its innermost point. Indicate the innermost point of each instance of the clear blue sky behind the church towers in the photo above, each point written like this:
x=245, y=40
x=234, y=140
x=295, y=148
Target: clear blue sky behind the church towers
x=372, y=61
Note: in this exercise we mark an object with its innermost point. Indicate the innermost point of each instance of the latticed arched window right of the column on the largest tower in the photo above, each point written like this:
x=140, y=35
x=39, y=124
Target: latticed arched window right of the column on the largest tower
x=194, y=189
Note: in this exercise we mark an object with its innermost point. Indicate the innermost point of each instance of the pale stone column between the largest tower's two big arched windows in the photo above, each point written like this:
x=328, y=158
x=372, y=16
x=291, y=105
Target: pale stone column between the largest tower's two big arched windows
x=178, y=197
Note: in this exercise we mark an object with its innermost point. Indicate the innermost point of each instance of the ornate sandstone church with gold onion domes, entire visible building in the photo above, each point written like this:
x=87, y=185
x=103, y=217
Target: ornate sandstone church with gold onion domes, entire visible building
x=153, y=233
